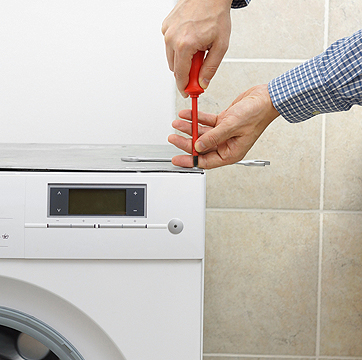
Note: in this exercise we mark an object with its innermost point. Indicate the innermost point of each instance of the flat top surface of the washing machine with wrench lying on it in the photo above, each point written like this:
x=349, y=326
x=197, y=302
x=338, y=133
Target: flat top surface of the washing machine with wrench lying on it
x=90, y=158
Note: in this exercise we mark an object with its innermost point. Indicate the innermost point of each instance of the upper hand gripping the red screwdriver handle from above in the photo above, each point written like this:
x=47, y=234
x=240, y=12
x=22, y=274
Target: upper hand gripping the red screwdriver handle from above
x=192, y=26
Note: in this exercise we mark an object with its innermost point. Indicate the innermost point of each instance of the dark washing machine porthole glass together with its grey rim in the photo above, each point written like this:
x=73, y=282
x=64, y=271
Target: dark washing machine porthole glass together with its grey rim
x=24, y=337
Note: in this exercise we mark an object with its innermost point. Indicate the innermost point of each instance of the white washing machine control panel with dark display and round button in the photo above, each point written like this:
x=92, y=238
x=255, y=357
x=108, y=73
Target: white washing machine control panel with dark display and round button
x=67, y=215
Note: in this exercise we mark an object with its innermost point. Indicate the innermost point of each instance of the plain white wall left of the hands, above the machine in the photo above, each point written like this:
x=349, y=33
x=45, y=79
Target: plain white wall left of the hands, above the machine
x=84, y=71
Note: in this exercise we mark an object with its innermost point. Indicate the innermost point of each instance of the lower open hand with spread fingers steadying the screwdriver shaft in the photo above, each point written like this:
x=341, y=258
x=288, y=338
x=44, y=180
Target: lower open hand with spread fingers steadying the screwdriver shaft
x=225, y=138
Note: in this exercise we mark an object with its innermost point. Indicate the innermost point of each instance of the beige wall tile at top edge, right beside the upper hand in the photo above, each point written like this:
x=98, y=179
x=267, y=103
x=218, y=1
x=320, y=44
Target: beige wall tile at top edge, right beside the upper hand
x=278, y=29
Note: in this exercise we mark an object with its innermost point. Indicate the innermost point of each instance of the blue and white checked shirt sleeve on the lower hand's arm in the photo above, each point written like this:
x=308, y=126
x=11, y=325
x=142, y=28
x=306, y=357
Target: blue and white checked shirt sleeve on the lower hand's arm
x=329, y=82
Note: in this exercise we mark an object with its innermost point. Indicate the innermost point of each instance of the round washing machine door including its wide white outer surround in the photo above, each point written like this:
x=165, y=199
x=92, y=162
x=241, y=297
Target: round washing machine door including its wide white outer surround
x=36, y=324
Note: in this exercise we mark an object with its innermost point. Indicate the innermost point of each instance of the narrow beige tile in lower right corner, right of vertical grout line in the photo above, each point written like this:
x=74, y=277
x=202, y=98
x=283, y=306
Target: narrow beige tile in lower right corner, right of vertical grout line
x=341, y=315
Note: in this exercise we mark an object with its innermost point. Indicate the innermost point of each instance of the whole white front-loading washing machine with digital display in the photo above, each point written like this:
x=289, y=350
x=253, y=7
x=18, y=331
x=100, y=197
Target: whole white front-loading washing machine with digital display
x=100, y=259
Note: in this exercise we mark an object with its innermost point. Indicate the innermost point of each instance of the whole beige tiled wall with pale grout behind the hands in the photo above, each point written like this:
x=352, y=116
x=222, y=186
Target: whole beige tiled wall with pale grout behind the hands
x=284, y=242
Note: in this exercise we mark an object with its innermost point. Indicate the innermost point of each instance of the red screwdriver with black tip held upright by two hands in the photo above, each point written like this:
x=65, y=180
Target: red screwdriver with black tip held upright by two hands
x=194, y=89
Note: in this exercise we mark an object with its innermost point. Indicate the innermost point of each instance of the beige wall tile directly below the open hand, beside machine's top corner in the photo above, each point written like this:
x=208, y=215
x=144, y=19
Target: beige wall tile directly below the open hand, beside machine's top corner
x=292, y=181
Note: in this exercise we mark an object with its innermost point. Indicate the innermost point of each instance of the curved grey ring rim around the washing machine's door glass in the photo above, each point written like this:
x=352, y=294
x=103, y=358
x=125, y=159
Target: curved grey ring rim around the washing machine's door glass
x=40, y=331
